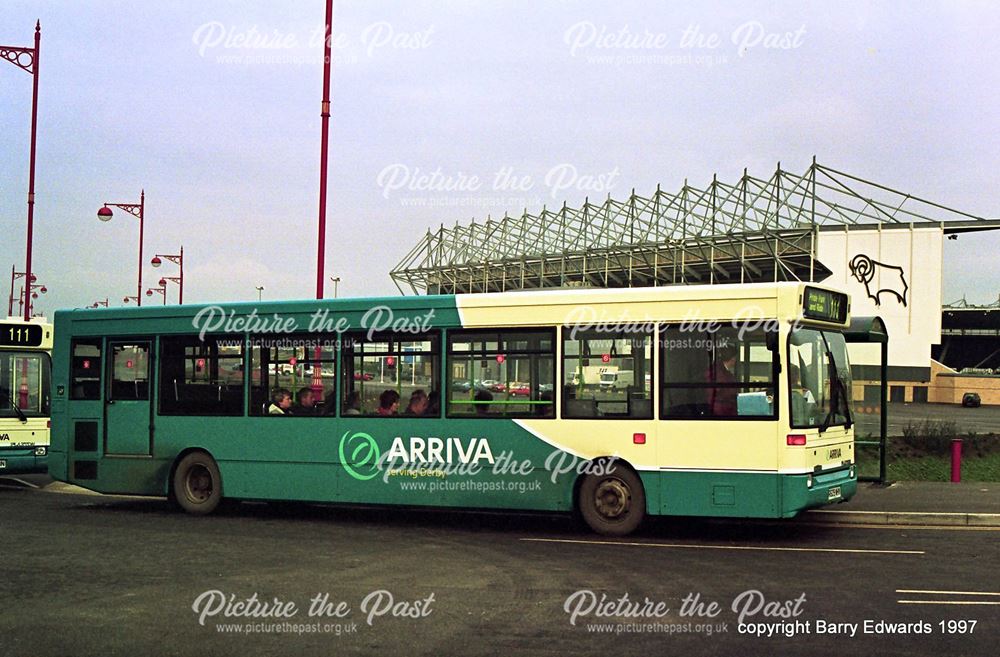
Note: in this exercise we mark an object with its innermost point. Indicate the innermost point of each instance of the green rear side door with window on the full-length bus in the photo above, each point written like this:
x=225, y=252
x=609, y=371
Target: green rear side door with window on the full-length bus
x=128, y=418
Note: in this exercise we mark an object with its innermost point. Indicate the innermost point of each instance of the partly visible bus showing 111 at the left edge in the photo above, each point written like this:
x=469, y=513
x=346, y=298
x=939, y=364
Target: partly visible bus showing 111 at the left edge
x=25, y=373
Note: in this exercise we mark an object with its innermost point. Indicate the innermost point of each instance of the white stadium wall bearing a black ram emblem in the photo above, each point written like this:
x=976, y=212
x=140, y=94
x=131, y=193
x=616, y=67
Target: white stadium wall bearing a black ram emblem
x=901, y=269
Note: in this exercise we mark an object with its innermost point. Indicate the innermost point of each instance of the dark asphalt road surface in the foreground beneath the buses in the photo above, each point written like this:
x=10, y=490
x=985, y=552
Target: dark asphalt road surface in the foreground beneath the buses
x=96, y=575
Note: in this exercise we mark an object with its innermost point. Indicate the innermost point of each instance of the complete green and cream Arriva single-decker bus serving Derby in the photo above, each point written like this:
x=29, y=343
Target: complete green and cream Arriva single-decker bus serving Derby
x=737, y=404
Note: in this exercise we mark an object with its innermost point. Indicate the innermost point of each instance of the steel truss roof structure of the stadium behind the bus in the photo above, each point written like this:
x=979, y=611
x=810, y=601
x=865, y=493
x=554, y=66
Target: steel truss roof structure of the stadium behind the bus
x=755, y=230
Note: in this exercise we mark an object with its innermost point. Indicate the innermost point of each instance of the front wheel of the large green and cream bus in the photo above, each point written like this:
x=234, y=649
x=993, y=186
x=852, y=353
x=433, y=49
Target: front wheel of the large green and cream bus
x=614, y=503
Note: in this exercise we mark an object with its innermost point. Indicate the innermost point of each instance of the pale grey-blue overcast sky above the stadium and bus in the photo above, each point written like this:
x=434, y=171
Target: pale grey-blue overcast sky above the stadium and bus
x=445, y=111
